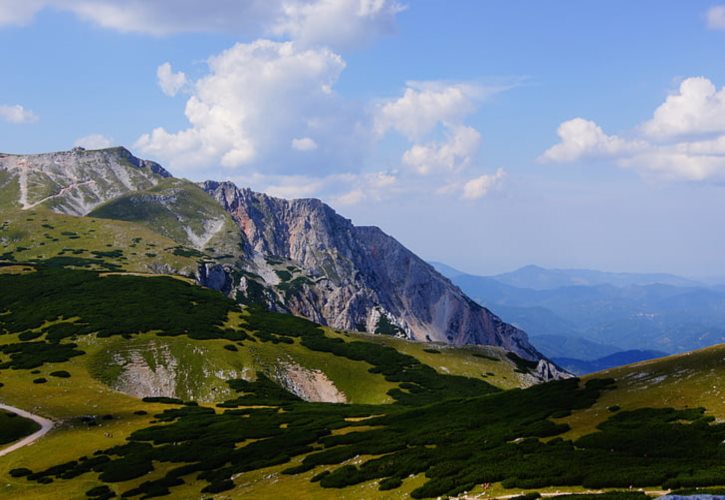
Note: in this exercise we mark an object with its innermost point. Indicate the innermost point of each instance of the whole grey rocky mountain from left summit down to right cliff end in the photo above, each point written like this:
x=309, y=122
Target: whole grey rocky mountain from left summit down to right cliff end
x=295, y=256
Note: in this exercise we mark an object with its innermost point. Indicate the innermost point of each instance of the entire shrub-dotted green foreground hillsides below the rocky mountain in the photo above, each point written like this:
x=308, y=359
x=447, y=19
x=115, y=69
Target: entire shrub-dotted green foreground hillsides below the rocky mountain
x=410, y=420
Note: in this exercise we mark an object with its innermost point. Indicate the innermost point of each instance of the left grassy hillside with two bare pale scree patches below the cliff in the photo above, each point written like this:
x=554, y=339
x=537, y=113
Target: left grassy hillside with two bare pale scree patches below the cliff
x=72, y=351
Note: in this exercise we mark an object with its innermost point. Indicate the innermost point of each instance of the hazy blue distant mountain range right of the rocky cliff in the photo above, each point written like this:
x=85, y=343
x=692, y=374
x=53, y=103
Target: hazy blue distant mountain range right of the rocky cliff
x=585, y=315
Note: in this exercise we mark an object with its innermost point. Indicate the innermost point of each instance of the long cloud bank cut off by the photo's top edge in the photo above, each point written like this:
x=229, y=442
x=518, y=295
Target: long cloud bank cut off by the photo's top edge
x=338, y=23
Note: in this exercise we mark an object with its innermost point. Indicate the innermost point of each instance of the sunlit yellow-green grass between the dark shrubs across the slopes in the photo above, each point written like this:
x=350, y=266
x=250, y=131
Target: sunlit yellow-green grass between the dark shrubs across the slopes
x=681, y=381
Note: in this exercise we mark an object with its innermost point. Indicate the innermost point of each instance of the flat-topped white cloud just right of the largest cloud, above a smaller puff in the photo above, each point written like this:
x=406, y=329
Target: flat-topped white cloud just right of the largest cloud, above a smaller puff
x=424, y=105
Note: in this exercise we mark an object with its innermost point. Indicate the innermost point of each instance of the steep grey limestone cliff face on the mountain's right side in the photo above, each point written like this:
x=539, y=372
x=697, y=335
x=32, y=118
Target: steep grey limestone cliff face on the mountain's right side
x=357, y=277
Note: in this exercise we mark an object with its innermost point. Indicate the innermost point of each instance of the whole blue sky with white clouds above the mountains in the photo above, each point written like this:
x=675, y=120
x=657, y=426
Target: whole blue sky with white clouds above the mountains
x=486, y=134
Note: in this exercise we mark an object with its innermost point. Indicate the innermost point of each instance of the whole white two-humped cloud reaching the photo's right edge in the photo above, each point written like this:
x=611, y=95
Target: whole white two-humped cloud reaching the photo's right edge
x=685, y=138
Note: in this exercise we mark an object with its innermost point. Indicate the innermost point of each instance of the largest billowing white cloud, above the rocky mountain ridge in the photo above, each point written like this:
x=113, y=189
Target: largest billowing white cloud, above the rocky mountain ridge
x=248, y=107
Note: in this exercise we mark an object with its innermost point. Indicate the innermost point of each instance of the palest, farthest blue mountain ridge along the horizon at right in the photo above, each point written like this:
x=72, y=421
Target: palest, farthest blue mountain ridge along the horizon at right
x=539, y=278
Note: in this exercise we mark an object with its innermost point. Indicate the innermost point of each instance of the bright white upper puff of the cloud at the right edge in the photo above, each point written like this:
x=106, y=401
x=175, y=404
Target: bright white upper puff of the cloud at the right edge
x=697, y=108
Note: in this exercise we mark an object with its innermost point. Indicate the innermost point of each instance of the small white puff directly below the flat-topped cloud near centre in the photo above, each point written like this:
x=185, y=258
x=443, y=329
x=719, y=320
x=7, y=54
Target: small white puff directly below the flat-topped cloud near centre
x=453, y=154
